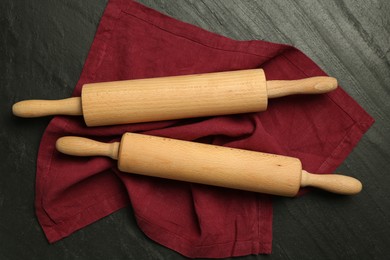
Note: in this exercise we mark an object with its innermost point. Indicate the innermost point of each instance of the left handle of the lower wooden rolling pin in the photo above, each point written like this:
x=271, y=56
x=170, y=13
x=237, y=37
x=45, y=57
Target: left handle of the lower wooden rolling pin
x=80, y=146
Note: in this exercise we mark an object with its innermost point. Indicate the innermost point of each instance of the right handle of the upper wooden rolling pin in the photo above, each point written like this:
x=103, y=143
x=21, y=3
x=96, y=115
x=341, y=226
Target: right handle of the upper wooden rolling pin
x=314, y=85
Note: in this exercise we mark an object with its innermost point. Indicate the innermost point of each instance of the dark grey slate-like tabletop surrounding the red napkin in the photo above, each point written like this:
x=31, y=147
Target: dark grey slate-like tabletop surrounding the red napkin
x=43, y=45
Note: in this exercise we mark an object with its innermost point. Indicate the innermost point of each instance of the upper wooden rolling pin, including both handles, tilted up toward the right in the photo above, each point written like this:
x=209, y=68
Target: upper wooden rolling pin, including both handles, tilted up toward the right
x=165, y=98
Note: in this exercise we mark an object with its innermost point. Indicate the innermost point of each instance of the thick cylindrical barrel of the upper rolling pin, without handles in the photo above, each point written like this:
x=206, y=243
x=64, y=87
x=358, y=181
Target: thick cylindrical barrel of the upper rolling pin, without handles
x=165, y=98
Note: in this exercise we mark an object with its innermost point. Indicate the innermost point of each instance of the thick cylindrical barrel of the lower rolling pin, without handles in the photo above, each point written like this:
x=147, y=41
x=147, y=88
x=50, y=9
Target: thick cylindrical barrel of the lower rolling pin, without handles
x=209, y=164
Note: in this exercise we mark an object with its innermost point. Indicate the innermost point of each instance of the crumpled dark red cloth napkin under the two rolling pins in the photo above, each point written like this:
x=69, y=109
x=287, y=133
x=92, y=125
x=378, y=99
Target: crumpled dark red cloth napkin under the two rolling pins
x=134, y=41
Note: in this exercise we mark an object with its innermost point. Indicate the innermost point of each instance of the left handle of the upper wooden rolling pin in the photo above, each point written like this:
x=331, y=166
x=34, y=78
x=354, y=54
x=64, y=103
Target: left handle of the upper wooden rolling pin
x=38, y=108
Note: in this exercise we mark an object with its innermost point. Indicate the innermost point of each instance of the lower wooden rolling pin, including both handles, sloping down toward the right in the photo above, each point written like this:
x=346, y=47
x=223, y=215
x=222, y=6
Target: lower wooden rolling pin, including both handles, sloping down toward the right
x=209, y=164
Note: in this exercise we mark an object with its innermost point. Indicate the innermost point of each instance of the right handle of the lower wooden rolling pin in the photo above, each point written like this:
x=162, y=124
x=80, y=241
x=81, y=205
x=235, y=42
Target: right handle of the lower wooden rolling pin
x=335, y=183
